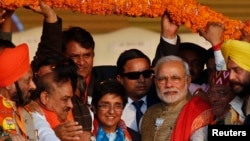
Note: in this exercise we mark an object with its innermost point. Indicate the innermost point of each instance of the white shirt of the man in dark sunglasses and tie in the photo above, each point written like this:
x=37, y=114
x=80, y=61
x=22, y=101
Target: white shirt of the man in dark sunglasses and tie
x=129, y=113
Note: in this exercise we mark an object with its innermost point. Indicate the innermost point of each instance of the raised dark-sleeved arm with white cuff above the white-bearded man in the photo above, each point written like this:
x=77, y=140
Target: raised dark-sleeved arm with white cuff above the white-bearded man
x=169, y=42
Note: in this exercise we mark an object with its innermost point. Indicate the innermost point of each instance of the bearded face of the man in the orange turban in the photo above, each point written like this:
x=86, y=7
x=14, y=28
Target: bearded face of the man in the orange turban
x=26, y=86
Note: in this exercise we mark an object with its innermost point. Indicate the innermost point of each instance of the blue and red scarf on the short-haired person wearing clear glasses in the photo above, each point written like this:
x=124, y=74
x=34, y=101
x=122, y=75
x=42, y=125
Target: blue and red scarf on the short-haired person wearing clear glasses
x=122, y=132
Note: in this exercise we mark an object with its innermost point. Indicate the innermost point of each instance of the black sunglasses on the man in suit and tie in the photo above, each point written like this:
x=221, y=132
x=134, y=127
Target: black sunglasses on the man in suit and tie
x=136, y=75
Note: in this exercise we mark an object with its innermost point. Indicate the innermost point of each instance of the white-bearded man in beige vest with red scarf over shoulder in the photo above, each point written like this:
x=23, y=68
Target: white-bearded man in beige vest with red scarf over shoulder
x=164, y=121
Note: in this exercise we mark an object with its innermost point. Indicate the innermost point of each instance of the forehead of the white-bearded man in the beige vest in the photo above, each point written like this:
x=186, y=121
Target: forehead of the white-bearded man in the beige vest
x=171, y=68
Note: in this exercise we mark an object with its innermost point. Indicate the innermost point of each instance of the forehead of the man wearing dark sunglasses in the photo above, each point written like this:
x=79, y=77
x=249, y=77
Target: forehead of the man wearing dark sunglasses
x=137, y=64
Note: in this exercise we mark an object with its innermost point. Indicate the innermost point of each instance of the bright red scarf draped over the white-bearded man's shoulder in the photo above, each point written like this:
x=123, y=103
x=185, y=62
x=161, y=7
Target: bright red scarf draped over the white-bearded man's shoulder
x=194, y=115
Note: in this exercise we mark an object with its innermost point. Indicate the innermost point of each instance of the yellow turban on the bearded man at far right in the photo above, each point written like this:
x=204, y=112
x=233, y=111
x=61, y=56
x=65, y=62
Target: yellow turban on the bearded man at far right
x=237, y=51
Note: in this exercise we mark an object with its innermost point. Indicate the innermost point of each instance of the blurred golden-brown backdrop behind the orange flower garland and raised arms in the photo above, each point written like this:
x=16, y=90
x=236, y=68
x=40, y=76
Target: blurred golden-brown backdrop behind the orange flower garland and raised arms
x=235, y=9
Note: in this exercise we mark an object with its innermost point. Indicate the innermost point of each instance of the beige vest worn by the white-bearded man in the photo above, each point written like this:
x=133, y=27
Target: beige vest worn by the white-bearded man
x=157, y=123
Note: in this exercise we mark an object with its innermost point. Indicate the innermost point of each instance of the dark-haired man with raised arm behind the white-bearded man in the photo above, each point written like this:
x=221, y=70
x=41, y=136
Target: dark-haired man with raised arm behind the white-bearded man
x=195, y=55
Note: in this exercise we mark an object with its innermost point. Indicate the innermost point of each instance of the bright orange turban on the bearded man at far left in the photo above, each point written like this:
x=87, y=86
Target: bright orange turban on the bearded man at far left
x=14, y=62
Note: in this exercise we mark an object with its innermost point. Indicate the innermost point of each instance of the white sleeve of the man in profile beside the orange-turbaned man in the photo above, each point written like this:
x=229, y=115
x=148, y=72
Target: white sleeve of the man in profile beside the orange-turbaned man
x=45, y=132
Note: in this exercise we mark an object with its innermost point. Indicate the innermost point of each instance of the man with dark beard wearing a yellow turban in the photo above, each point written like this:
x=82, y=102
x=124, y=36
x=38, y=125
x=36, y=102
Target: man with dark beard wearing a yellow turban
x=236, y=54
